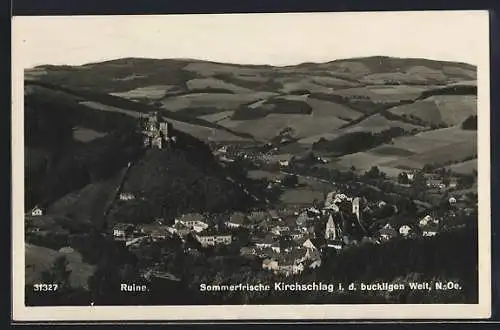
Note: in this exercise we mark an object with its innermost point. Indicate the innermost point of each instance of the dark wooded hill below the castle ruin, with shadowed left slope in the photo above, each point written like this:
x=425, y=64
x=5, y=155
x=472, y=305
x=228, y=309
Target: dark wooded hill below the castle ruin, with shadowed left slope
x=75, y=177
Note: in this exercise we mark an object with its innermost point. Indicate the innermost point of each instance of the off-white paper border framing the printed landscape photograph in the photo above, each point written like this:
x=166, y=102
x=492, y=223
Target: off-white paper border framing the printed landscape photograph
x=253, y=312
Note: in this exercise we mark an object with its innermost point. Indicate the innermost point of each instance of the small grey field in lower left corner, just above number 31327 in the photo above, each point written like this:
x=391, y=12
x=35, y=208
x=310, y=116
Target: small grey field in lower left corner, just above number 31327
x=39, y=259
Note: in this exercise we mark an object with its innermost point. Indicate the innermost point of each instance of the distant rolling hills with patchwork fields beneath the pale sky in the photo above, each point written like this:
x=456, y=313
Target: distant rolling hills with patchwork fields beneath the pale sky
x=230, y=102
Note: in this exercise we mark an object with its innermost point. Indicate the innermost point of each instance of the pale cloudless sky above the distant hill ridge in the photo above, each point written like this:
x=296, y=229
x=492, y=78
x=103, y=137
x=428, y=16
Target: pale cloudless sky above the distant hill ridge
x=275, y=39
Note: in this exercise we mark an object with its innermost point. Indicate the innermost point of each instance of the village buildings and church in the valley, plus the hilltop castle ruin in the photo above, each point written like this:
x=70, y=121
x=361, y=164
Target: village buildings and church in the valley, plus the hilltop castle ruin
x=286, y=239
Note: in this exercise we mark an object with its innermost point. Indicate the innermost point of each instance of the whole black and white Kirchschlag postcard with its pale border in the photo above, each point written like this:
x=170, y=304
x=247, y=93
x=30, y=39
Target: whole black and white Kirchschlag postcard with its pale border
x=251, y=167
